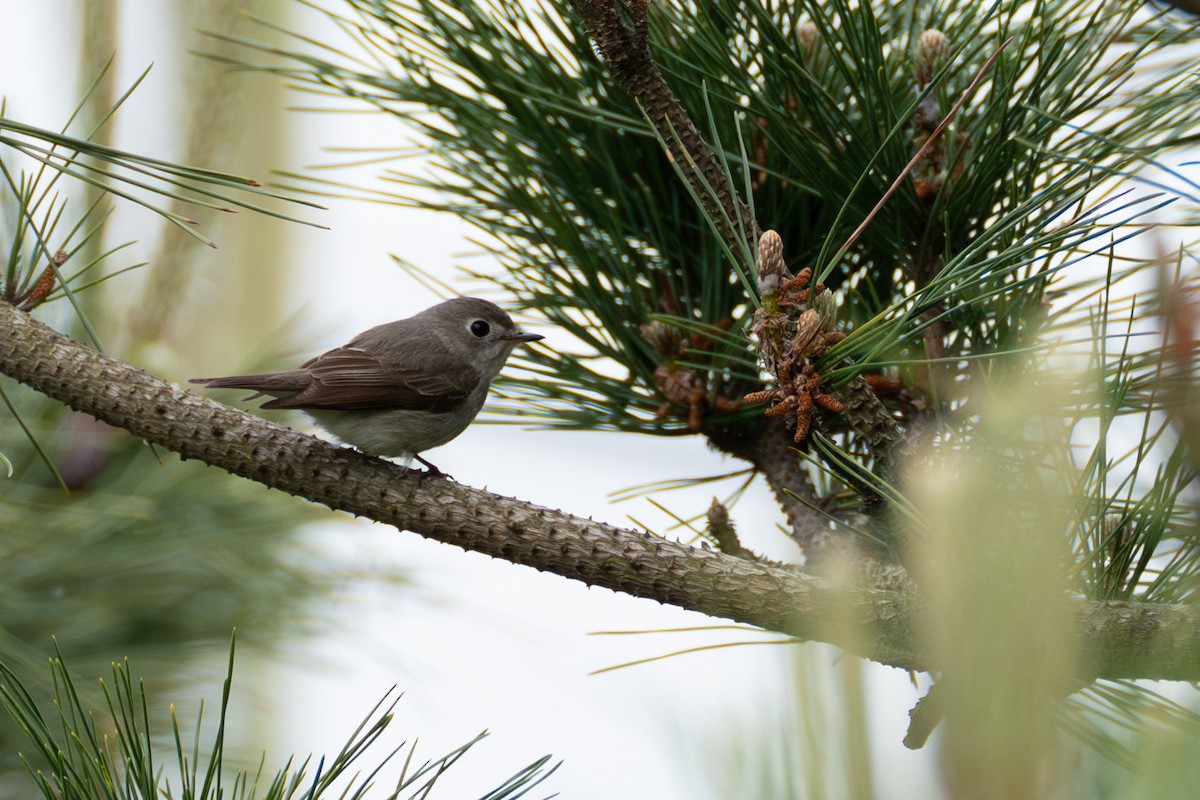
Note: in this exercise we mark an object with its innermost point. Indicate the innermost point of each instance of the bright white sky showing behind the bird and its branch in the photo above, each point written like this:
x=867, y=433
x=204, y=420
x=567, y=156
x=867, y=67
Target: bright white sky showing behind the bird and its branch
x=477, y=643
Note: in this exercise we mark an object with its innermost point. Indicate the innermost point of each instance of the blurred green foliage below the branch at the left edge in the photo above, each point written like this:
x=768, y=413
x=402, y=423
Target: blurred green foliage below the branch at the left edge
x=139, y=552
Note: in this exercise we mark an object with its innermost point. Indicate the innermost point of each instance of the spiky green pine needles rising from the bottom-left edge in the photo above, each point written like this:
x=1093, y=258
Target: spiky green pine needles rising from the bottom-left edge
x=109, y=751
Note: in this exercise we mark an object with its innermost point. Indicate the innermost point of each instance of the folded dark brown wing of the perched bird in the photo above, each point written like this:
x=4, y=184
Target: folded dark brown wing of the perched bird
x=352, y=380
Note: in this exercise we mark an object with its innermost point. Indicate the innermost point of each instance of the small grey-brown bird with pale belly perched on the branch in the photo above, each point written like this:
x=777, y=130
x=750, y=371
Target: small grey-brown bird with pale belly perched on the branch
x=403, y=388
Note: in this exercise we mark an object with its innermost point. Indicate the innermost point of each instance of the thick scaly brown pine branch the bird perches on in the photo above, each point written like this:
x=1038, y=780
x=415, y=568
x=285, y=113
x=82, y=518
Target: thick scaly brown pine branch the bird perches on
x=1117, y=640
